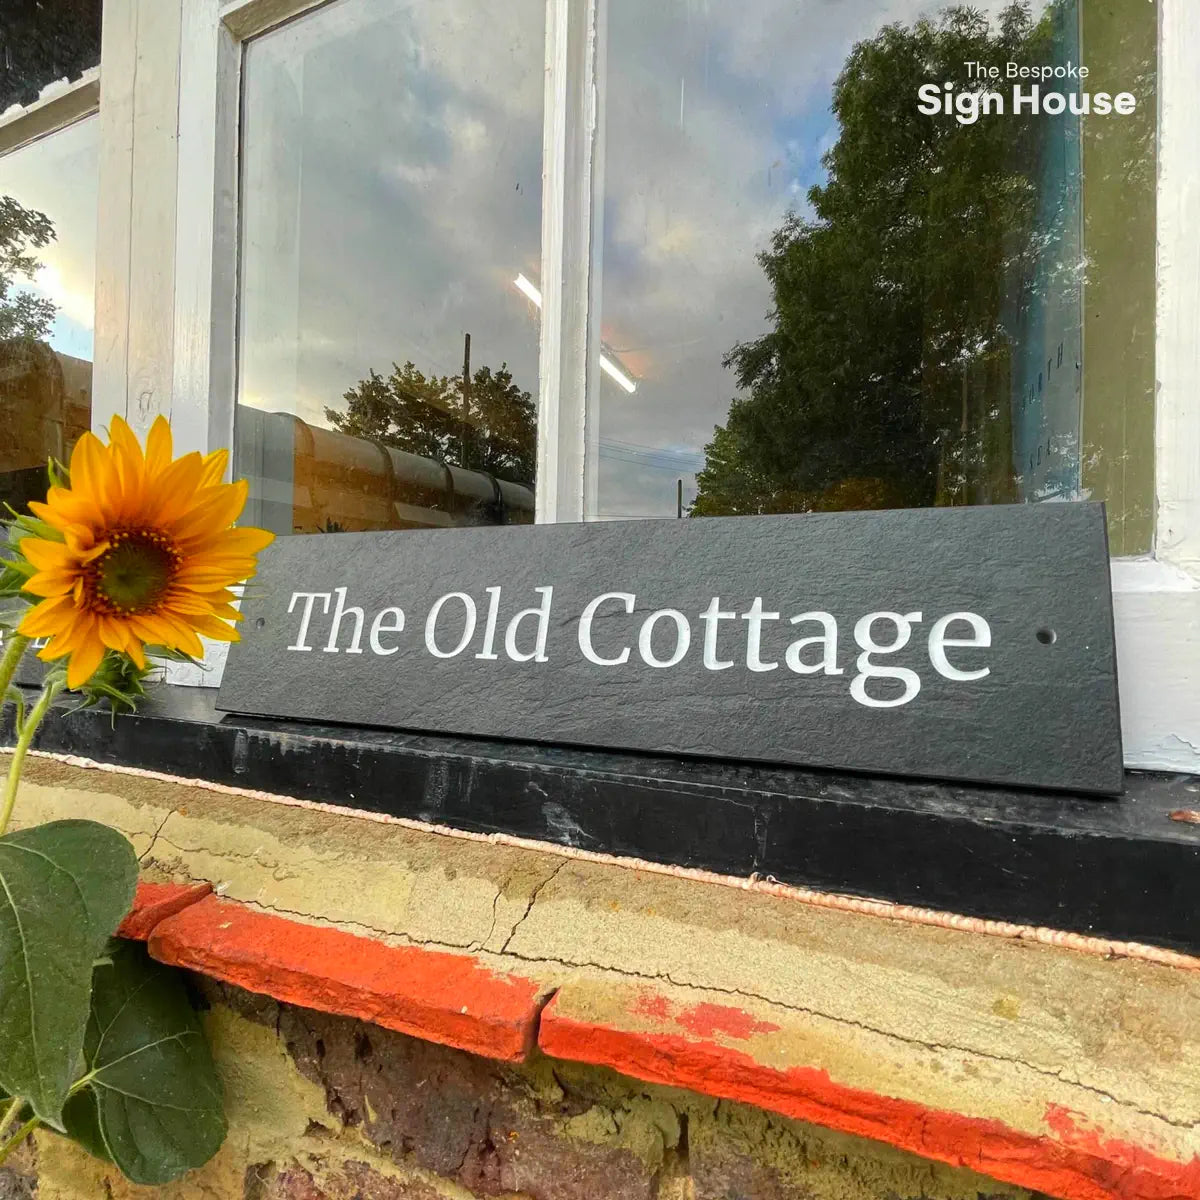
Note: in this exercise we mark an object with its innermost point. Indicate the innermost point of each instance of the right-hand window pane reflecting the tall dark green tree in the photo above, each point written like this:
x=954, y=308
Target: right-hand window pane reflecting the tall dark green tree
x=817, y=297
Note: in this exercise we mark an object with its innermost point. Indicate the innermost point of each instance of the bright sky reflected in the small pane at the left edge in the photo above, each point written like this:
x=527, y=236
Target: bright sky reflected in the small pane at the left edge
x=58, y=176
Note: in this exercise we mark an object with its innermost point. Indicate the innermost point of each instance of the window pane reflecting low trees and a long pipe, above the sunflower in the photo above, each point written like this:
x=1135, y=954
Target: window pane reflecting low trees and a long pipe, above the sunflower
x=391, y=245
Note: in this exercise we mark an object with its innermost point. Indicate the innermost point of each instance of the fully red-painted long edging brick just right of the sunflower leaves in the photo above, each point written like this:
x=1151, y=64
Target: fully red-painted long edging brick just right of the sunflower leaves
x=451, y=999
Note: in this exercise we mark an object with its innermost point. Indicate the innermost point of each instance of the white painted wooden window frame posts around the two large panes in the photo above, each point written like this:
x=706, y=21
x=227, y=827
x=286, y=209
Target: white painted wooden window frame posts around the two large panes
x=189, y=58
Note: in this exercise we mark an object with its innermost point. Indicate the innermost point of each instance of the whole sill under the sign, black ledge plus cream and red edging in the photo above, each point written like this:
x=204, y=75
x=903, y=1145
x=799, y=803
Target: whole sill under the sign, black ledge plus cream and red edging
x=968, y=1043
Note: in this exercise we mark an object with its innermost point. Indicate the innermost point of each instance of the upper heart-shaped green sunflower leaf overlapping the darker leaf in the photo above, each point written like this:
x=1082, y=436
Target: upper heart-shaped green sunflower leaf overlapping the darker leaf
x=64, y=889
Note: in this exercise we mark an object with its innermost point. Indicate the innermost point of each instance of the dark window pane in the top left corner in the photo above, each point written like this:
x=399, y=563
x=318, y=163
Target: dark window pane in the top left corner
x=45, y=41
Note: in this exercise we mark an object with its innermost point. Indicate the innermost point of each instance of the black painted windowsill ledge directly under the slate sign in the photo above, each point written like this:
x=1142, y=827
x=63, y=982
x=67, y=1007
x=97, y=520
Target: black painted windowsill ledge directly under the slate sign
x=1112, y=868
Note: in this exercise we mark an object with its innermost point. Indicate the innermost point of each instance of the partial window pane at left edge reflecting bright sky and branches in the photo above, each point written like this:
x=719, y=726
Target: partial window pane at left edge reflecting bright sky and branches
x=47, y=297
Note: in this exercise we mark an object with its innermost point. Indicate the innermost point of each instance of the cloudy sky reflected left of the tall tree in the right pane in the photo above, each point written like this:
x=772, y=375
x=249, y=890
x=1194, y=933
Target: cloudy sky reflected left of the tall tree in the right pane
x=717, y=118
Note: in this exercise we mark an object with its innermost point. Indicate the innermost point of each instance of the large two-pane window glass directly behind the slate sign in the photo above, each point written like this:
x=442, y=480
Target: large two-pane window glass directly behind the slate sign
x=805, y=293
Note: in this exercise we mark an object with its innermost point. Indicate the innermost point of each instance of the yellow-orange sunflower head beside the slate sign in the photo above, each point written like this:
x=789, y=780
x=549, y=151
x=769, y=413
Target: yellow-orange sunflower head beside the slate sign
x=146, y=555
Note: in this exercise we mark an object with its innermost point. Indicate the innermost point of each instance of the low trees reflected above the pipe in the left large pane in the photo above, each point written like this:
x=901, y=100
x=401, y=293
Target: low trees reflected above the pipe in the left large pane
x=495, y=431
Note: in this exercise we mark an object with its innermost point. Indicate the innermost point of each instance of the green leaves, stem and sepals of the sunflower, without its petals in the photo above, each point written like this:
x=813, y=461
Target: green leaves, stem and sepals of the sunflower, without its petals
x=97, y=1041
